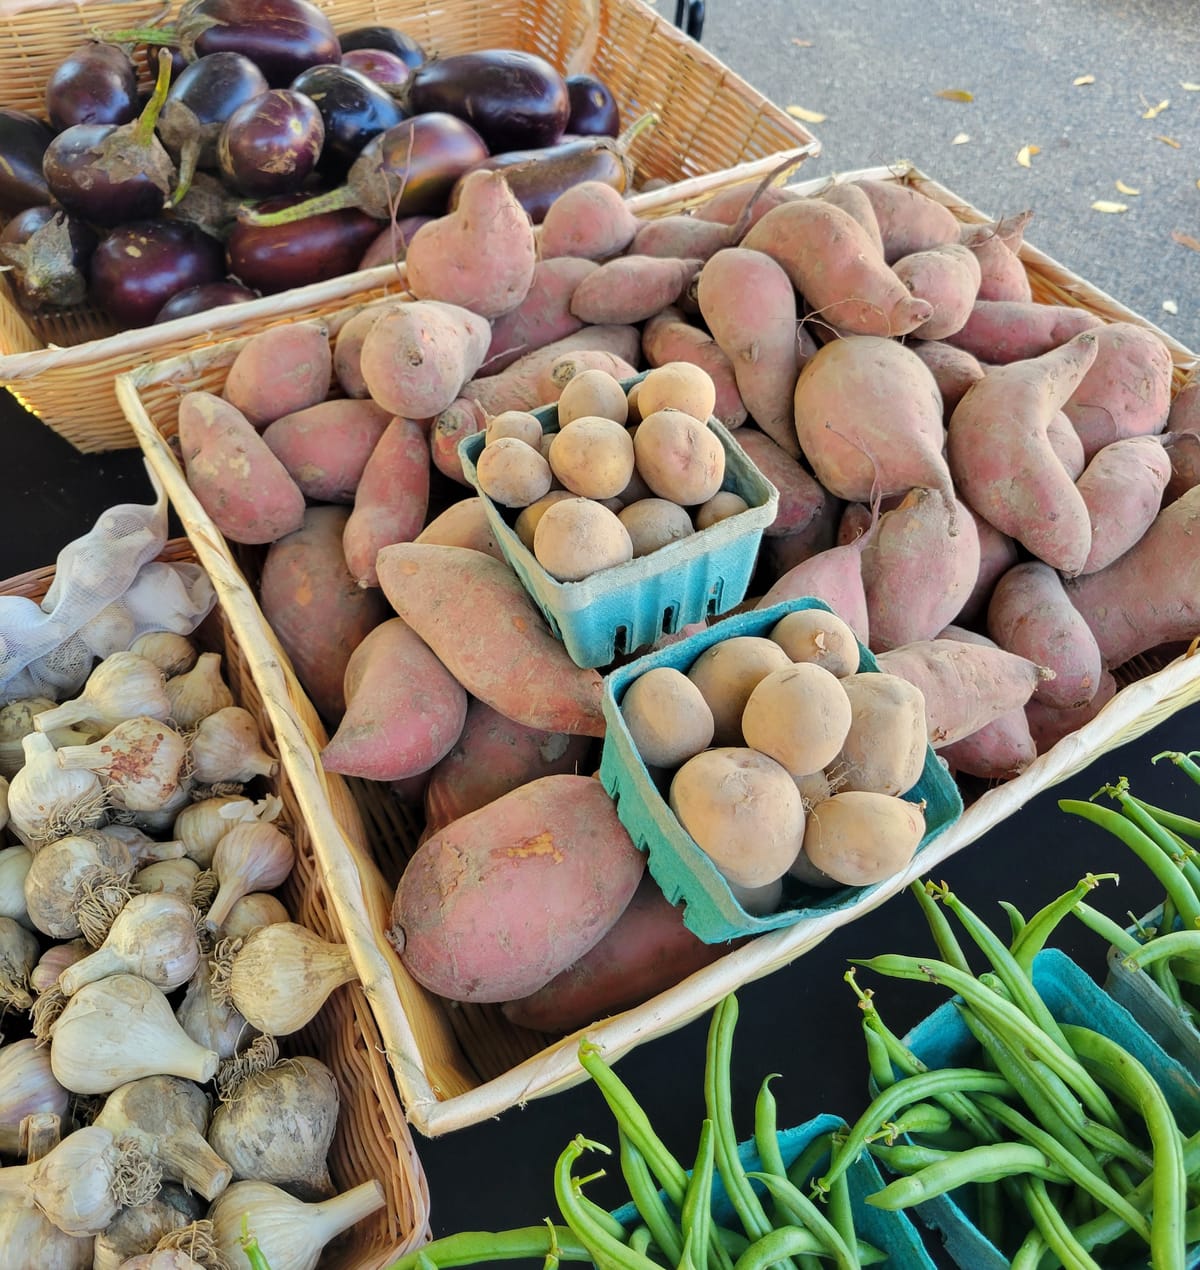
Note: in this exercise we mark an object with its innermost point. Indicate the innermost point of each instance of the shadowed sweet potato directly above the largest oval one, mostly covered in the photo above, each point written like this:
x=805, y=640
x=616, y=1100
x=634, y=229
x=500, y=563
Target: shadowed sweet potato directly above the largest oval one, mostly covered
x=493, y=756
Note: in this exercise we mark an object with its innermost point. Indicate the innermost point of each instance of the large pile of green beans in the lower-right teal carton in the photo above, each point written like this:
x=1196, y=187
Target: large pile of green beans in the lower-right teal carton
x=1069, y=1144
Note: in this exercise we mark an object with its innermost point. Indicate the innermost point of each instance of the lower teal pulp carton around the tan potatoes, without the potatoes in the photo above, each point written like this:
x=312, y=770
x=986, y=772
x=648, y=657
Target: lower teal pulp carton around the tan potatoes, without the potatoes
x=684, y=872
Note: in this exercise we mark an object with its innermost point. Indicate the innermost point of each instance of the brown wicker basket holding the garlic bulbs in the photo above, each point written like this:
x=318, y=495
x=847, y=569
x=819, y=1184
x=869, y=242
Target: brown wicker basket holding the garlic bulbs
x=373, y=1137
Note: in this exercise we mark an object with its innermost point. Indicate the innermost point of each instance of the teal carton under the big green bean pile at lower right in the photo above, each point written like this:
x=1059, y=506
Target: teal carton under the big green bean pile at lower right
x=1074, y=998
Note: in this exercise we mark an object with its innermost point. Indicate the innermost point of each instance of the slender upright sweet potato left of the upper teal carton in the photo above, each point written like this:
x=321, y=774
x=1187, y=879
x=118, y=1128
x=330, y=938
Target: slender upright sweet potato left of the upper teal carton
x=392, y=498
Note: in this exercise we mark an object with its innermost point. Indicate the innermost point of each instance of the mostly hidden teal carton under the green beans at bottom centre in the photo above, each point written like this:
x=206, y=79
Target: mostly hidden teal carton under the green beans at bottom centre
x=893, y=1234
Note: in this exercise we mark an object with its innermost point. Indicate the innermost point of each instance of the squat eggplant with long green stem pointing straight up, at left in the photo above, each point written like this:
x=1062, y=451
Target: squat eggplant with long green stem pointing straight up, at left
x=111, y=173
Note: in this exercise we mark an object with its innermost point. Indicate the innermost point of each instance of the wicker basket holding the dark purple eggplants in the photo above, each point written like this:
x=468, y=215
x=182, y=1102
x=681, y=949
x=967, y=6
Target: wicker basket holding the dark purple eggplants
x=710, y=121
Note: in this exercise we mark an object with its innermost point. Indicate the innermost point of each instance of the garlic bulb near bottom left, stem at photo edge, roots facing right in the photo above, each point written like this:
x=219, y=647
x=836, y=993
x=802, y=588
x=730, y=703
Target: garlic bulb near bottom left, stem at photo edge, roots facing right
x=84, y=1182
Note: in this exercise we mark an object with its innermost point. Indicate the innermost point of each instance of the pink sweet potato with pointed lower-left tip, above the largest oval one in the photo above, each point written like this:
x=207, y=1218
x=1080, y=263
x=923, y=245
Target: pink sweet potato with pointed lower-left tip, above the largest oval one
x=404, y=711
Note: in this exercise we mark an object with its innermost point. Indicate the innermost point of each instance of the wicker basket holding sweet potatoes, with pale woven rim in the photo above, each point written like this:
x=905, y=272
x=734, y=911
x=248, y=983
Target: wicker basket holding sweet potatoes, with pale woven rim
x=460, y=1065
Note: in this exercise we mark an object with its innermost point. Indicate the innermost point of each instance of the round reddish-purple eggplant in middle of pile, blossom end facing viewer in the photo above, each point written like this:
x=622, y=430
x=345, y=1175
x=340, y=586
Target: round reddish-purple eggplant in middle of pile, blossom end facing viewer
x=271, y=145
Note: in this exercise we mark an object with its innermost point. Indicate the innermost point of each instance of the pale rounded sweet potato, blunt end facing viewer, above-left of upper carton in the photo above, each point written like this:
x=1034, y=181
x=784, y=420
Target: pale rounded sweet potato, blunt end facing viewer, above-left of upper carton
x=418, y=356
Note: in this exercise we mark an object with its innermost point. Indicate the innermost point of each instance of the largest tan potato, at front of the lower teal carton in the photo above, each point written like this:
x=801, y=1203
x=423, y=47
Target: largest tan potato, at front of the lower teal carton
x=743, y=811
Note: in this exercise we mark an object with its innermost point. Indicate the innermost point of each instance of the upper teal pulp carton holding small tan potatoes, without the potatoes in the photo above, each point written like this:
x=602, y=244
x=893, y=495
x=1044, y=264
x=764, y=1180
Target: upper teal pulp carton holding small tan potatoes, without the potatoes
x=630, y=606
